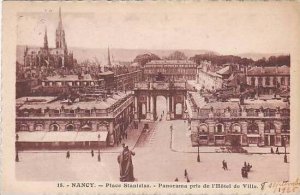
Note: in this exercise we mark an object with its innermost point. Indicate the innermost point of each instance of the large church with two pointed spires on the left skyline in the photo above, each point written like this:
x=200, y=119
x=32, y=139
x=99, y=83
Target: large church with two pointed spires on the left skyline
x=57, y=57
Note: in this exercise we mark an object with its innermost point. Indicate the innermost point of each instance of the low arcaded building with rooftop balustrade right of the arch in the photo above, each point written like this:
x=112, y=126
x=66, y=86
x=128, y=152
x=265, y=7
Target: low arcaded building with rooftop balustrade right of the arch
x=252, y=122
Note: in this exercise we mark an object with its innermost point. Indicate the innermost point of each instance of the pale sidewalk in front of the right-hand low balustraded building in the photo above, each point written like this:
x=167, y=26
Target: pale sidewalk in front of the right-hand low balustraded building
x=181, y=142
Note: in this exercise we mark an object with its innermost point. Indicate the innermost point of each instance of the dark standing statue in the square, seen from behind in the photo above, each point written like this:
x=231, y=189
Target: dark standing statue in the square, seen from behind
x=126, y=166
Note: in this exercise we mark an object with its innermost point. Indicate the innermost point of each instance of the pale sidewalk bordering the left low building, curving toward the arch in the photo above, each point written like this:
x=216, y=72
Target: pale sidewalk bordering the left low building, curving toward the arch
x=133, y=135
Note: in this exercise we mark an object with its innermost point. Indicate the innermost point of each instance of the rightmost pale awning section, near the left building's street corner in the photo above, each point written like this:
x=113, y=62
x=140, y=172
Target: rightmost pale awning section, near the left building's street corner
x=91, y=136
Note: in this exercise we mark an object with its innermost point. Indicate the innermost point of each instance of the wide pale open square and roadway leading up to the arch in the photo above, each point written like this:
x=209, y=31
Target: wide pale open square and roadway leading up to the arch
x=154, y=161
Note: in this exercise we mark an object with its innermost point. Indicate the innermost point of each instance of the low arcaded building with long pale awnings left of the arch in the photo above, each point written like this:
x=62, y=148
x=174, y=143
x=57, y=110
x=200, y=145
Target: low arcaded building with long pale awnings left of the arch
x=47, y=122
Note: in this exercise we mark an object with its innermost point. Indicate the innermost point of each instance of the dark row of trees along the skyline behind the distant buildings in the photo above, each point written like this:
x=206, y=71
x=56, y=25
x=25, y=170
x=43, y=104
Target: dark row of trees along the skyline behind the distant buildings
x=218, y=60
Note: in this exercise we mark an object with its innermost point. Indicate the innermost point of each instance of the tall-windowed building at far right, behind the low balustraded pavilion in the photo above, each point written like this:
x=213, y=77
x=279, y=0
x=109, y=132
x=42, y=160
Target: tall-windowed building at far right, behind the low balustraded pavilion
x=269, y=80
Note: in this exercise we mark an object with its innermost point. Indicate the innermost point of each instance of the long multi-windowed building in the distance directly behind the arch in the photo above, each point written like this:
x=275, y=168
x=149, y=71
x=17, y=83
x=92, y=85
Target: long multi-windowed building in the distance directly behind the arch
x=171, y=69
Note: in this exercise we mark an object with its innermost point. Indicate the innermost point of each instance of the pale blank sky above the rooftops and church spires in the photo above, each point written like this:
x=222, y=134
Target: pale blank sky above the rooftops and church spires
x=227, y=30
